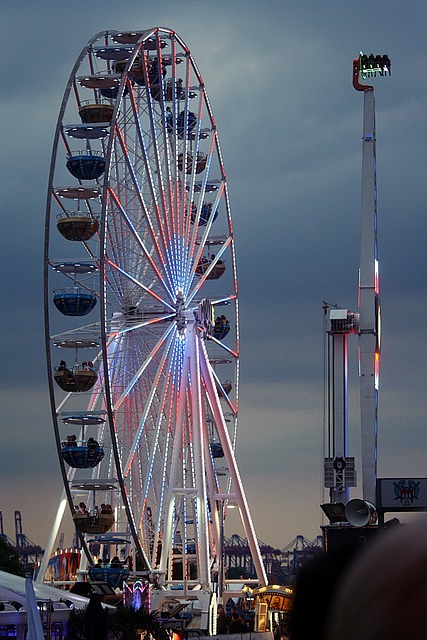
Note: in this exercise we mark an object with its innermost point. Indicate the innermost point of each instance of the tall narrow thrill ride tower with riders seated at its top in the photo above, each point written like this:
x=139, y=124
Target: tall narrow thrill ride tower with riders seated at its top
x=340, y=472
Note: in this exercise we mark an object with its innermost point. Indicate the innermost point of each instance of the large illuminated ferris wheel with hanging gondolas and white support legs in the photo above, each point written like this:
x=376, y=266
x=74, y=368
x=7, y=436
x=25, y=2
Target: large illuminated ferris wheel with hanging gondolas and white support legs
x=141, y=310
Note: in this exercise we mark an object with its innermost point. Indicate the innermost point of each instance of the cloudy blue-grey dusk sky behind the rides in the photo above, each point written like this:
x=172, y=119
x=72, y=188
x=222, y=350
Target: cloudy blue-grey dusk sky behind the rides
x=278, y=74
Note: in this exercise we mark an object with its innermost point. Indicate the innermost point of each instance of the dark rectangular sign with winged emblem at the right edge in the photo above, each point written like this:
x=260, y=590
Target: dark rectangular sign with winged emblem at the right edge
x=402, y=494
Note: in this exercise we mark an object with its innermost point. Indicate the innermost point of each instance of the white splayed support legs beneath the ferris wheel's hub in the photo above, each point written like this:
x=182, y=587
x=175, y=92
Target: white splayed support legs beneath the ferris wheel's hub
x=196, y=360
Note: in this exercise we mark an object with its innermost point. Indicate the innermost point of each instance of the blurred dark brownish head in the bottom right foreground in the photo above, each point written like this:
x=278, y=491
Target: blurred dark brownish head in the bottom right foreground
x=383, y=593
